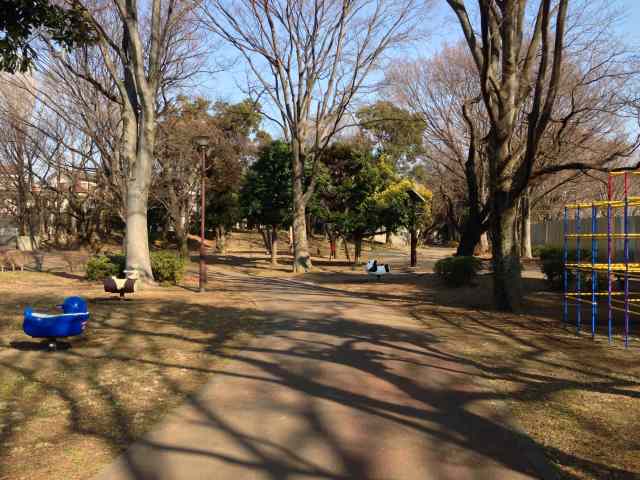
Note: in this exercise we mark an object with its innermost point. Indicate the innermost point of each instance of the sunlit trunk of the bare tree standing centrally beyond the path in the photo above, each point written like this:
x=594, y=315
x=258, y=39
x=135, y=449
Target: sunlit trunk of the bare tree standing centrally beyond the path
x=301, y=257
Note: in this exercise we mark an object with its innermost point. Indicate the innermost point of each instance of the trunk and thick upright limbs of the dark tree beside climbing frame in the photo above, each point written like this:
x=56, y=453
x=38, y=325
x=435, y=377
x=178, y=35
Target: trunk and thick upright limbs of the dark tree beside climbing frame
x=502, y=65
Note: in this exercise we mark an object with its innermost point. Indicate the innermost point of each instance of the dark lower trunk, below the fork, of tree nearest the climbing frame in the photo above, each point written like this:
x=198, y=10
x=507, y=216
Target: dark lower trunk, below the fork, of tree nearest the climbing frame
x=507, y=282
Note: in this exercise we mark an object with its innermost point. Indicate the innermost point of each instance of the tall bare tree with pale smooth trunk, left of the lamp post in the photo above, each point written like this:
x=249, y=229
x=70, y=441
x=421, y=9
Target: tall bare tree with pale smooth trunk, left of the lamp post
x=141, y=52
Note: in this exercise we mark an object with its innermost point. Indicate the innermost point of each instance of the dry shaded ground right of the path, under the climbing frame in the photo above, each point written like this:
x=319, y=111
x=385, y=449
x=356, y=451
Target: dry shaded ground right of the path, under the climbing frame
x=577, y=397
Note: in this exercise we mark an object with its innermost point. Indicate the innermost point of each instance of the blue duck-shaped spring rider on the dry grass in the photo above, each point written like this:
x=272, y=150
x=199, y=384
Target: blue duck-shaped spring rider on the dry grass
x=70, y=323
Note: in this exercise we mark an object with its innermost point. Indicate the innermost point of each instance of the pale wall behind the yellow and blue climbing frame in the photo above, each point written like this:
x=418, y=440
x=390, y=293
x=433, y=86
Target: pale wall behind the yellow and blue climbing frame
x=551, y=233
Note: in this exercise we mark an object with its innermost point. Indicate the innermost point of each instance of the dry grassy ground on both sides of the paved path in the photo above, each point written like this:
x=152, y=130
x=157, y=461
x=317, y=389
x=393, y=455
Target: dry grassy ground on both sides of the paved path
x=65, y=414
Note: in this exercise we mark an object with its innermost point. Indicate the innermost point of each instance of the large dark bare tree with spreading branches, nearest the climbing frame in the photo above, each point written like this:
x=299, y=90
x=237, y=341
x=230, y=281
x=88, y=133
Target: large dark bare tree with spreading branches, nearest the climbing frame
x=519, y=60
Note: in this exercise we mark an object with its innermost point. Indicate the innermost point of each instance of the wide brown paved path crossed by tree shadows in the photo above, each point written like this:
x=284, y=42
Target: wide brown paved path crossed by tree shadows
x=339, y=386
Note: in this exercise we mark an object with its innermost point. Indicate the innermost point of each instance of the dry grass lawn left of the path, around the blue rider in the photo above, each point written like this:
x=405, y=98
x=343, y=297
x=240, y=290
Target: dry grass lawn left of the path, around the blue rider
x=67, y=413
